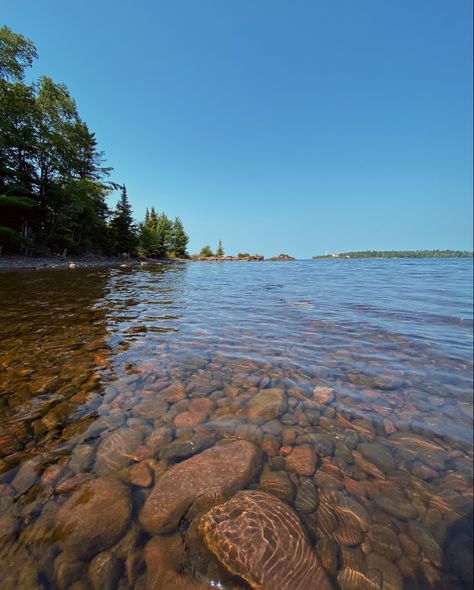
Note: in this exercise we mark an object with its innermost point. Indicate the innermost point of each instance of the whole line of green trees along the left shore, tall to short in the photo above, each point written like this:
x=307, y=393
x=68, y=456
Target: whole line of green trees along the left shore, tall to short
x=53, y=181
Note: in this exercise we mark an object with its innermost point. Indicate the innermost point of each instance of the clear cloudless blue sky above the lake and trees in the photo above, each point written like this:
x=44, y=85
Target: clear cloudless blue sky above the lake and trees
x=276, y=125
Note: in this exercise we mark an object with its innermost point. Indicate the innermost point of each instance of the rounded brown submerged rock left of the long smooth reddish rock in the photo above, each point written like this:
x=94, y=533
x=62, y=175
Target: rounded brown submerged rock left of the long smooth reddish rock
x=94, y=517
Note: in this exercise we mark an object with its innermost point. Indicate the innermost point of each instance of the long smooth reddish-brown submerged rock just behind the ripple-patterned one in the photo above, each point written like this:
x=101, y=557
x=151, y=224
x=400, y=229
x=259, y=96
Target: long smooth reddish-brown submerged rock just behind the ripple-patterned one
x=211, y=476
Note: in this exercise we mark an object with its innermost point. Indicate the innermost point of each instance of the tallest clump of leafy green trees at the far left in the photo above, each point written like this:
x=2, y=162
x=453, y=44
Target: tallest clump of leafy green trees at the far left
x=51, y=172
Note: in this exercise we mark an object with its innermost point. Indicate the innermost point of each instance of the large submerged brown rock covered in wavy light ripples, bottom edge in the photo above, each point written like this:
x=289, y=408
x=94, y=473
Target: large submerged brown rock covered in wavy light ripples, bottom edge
x=260, y=538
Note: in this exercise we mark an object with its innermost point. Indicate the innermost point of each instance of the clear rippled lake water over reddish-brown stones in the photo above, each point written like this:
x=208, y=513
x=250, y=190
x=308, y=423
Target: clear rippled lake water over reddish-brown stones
x=87, y=359
